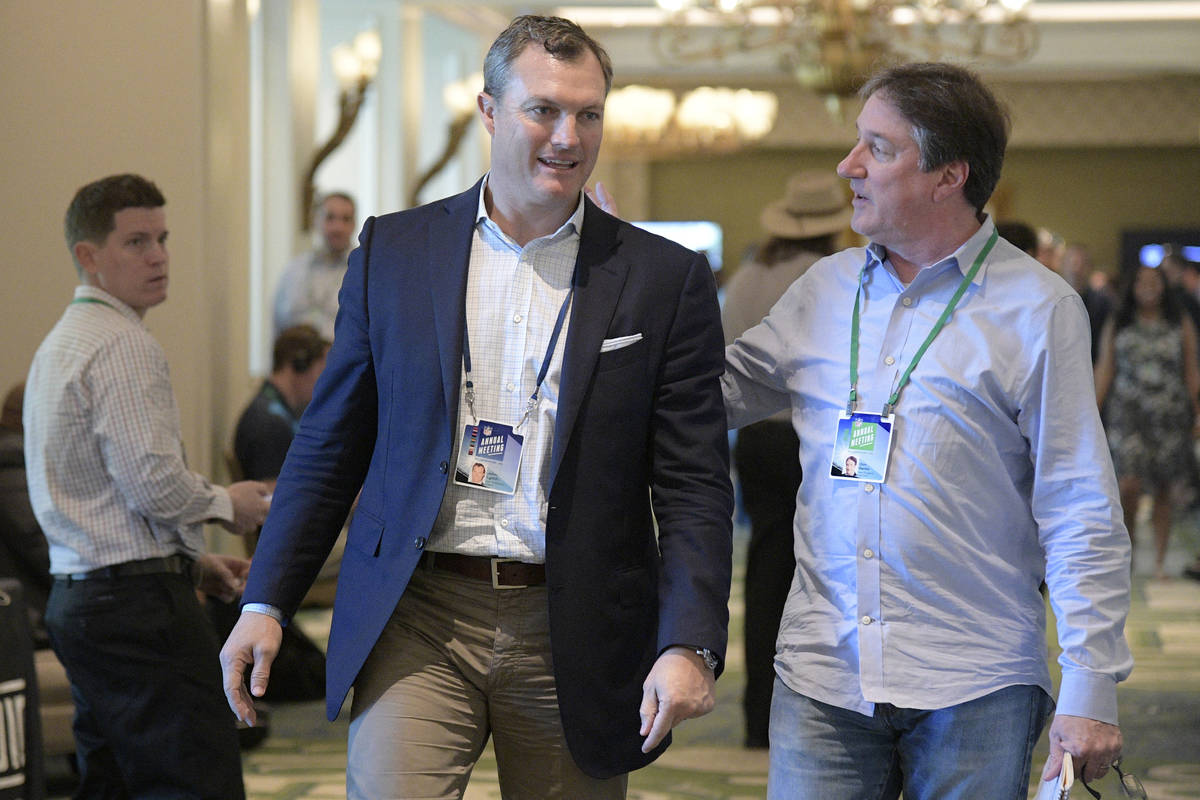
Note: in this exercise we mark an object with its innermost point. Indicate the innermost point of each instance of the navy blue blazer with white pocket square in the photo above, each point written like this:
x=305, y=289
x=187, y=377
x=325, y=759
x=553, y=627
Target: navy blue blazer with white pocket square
x=640, y=440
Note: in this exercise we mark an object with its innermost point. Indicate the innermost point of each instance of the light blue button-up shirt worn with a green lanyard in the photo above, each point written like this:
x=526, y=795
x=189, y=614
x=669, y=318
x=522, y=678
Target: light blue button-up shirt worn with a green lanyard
x=923, y=592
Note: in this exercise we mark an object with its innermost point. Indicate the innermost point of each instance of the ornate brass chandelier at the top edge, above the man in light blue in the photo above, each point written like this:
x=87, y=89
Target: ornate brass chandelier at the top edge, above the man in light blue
x=831, y=46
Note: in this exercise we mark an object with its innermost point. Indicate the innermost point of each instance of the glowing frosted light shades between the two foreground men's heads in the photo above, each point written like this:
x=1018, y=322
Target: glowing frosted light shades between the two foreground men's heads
x=704, y=119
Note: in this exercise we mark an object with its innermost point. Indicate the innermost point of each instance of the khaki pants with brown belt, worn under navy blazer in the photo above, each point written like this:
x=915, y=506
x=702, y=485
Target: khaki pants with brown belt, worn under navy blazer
x=460, y=661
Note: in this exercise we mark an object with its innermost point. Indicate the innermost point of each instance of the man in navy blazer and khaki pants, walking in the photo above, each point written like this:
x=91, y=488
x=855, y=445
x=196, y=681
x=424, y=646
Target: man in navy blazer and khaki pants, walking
x=573, y=607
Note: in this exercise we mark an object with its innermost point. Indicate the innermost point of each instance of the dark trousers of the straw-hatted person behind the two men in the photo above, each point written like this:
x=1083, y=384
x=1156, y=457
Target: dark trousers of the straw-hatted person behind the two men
x=766, y=456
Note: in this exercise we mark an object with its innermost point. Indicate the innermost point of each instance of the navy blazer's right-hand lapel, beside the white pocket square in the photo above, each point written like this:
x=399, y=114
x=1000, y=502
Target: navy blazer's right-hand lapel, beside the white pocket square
x=599, y=278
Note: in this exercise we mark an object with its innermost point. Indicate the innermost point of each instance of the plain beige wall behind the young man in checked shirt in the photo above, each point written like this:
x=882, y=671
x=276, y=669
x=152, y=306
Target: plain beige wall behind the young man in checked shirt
x=91, y=88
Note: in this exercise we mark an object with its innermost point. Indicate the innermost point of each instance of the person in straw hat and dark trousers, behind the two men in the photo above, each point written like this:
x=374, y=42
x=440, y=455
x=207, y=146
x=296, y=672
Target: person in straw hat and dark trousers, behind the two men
x=803, y=227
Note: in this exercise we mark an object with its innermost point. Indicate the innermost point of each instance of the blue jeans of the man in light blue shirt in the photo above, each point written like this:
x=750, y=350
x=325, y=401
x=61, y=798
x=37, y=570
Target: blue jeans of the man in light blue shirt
x=980, y=749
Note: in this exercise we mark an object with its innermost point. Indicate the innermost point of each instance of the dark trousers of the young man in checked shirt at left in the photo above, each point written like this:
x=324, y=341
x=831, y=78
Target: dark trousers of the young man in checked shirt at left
x=151, y=714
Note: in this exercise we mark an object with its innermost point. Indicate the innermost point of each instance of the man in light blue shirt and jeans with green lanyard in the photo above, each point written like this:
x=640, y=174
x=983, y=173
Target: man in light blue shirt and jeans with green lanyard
x=957, y=370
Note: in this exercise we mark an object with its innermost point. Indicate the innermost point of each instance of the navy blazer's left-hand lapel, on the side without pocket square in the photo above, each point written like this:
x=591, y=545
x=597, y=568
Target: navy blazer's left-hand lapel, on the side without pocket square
x=448, y=258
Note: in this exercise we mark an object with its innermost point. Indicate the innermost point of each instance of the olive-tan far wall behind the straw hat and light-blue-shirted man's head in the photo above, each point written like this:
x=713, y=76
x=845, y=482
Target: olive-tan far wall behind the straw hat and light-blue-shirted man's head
x=1087, y=195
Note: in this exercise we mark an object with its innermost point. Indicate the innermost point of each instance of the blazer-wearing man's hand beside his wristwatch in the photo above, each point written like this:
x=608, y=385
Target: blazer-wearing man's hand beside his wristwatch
x=679, y=688
